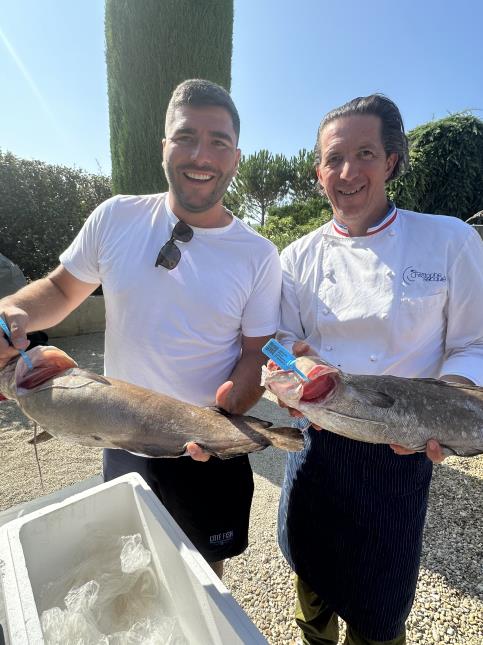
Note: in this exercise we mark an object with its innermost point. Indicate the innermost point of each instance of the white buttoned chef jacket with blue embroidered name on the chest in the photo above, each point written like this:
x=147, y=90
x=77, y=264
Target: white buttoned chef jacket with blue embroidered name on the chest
x=405, y=300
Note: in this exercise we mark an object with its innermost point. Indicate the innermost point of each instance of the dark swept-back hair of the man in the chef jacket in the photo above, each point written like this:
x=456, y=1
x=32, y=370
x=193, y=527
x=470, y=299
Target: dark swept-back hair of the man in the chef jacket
x=393, y=136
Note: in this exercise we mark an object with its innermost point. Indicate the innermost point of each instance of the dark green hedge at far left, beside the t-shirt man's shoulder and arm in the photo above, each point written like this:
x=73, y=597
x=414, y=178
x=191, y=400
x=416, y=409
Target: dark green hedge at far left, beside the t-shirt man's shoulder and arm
x=42, y=207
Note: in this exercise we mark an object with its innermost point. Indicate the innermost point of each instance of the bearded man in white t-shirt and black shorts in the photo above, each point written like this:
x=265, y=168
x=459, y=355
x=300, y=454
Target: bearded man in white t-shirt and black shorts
x=191, y=294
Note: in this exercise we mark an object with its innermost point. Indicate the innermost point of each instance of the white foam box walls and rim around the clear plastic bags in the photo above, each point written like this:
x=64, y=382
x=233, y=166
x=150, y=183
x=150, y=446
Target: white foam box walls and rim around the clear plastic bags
x=36, y=548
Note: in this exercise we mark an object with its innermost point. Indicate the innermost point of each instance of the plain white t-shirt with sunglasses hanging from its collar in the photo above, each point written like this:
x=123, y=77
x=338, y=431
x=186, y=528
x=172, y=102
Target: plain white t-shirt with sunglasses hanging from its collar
x=177, y=332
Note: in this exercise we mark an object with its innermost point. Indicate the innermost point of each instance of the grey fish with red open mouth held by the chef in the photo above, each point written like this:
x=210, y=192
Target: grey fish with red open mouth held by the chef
x=384, y=409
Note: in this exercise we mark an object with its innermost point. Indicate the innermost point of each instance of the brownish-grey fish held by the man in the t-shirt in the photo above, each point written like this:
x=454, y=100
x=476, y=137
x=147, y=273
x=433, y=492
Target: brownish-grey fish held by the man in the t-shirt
x=92, y=410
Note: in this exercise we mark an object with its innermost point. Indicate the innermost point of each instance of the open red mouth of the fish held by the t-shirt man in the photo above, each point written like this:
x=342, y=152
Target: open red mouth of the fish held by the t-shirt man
x=47, y=362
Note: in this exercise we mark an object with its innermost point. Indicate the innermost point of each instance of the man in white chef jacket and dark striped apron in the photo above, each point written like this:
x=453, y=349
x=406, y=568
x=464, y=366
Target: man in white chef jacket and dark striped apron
x=378, y=290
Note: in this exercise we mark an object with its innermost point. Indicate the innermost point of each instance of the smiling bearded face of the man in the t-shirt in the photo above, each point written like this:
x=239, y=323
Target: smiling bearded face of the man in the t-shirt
x=200, y=157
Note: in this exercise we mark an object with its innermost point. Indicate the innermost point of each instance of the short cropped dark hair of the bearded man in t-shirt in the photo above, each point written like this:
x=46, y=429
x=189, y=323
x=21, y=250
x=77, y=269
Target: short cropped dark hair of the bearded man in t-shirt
x=197, y=92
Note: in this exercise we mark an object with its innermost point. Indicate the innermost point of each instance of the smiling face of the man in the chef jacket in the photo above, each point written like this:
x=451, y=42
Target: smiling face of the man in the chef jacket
x=354, y=169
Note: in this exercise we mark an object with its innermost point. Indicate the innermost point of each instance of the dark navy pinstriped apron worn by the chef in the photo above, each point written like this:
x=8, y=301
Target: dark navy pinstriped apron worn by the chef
x=351, y=521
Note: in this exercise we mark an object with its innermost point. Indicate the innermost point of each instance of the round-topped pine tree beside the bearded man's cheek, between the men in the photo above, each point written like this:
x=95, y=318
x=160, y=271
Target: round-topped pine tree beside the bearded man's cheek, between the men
x=262, y=180
